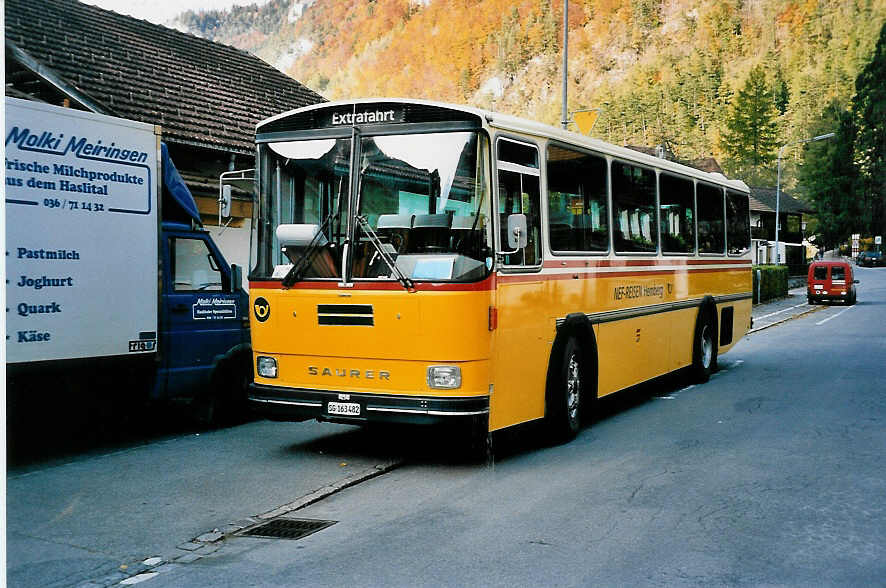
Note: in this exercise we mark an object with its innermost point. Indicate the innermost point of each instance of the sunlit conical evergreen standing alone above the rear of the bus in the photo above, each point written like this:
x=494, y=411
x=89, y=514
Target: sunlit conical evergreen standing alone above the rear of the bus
x=751, y=136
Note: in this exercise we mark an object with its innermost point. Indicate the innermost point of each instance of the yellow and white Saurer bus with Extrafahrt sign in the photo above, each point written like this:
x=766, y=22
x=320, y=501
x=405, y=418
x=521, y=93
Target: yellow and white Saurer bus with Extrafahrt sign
x=423, y=262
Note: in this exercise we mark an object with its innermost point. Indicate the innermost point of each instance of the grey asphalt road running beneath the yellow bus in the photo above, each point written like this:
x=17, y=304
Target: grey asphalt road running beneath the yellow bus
x=770, y=474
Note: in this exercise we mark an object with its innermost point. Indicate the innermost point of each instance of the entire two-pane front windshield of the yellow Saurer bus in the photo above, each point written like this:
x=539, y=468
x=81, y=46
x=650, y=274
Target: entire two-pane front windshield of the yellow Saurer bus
x=421, y=209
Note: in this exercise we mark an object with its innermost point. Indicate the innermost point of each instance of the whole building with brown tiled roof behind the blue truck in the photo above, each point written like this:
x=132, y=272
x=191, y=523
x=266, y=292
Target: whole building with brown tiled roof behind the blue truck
x=207, y=97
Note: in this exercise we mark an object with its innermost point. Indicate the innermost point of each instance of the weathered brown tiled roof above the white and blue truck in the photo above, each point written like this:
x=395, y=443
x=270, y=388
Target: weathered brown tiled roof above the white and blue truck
x=200, y=91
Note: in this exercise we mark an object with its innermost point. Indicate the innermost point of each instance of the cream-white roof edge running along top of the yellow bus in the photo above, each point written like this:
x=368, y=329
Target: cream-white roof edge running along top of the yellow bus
x=516, y=124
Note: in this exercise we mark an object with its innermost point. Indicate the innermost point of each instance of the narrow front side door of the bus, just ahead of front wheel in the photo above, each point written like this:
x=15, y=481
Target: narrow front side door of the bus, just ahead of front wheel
x=522, y=342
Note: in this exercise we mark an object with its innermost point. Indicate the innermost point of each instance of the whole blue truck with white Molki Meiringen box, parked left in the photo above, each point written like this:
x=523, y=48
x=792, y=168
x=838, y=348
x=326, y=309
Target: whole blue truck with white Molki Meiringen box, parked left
x=107, y=298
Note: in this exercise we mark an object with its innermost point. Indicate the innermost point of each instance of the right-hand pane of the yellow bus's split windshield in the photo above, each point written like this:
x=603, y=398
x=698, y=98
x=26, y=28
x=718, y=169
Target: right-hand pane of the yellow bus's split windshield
x=425, y=197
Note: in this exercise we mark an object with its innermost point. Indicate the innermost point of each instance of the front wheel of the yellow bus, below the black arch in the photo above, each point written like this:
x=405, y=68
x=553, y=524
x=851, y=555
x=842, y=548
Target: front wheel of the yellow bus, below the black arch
x=565, y=394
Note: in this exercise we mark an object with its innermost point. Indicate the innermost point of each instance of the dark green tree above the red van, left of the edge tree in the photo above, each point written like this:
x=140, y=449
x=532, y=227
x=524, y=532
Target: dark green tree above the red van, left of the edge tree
x=829, y=179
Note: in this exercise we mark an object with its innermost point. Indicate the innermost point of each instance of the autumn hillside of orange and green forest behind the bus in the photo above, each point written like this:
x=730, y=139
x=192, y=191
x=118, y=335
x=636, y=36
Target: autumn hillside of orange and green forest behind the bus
x=662, y=71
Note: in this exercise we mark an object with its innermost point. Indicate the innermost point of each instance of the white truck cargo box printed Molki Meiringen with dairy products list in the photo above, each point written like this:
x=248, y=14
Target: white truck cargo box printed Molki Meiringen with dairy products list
x=81, y=234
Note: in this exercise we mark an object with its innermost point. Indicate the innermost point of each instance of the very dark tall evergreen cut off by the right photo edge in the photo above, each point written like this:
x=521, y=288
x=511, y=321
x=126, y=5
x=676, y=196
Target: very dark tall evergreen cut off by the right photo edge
x=869, y=107
